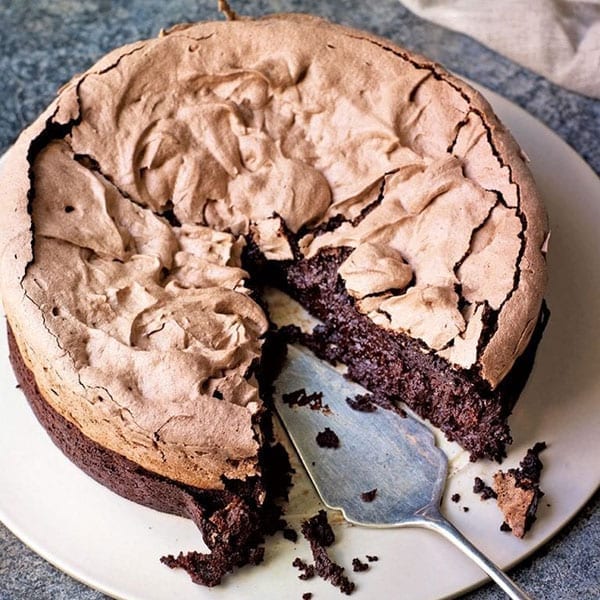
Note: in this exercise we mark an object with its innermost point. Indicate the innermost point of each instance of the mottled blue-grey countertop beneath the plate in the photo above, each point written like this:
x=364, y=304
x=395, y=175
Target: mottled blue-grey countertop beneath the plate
x=44, y=42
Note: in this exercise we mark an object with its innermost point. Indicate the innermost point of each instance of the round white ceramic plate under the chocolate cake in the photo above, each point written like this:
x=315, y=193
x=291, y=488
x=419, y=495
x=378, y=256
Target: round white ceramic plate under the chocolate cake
x=114, y=545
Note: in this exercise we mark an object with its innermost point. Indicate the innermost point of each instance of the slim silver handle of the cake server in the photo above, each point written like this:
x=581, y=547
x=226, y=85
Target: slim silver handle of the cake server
x=432, y=519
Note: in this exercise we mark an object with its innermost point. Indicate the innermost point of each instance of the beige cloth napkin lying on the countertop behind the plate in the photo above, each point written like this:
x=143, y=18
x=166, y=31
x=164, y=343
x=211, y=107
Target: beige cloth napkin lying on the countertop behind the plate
x=559, y=39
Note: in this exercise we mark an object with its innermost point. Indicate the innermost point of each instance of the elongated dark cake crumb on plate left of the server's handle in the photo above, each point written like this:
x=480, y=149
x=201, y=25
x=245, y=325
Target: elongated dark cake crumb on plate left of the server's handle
x=320, y=535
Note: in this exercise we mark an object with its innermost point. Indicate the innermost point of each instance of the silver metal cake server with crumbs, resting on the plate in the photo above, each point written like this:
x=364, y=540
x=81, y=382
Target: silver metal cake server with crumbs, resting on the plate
x=379, y=449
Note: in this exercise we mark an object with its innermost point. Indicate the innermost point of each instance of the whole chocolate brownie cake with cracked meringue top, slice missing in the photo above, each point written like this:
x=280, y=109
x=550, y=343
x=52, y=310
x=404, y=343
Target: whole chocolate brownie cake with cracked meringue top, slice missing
x=161, y=188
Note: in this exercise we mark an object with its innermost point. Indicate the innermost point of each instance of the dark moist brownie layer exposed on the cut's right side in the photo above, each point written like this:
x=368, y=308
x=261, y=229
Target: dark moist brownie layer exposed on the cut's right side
x=394, y=365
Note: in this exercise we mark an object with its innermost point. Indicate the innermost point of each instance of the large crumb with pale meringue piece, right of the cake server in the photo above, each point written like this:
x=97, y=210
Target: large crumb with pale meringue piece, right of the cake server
x=519, y=492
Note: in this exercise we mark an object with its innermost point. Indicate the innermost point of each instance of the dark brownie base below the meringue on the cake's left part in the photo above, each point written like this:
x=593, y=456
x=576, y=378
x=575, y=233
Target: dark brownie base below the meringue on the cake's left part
x=232, y=521
